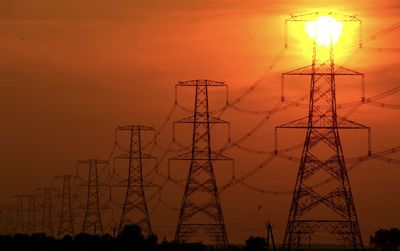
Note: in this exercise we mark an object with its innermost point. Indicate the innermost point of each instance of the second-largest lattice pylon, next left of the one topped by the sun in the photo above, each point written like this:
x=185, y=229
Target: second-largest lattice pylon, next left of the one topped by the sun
x=201, y=211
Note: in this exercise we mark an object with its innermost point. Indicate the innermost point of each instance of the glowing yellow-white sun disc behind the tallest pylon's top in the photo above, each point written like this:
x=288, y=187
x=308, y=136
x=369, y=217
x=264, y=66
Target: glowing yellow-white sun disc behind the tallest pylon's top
x=324, y=30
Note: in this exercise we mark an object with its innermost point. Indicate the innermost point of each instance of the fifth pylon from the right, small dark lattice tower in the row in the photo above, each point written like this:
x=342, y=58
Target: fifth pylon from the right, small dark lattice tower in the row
x=66, y=223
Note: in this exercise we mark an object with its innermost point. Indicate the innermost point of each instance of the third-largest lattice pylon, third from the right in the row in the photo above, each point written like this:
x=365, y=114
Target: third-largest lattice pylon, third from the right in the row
x=134, y=209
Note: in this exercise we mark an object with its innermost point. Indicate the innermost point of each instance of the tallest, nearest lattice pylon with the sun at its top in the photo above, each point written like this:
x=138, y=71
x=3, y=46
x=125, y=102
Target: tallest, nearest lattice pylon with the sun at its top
x=329, y=206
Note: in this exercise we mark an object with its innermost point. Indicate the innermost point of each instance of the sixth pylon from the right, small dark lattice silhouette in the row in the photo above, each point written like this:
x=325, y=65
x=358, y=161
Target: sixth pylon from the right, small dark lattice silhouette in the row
x=46, y=224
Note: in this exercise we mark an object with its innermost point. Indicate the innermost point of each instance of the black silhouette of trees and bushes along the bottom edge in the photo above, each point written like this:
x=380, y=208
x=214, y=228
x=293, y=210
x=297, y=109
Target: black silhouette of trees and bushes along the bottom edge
x=131, y=238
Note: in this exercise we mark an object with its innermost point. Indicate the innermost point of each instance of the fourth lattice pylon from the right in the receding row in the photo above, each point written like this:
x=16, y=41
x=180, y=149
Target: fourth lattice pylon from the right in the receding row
x=92, y=222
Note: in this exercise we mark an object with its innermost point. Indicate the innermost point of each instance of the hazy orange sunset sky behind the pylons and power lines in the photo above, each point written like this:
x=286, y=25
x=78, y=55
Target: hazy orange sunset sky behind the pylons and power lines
x=71, y=71
